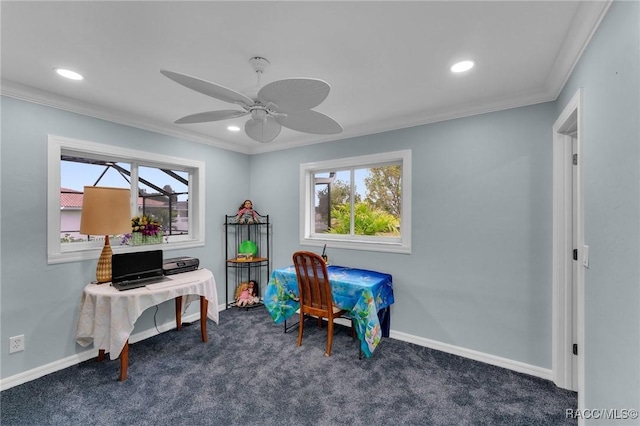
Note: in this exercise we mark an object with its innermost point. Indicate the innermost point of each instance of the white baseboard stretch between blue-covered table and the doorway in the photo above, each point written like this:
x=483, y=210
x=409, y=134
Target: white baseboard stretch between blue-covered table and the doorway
x=509, y=364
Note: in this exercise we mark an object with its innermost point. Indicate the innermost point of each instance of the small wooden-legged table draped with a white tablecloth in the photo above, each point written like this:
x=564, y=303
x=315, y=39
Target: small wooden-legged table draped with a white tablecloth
x=107, y=315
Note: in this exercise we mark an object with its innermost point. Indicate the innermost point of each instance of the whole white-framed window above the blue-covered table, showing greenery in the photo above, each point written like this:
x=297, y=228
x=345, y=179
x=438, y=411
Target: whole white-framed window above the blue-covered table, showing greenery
x=360, y=202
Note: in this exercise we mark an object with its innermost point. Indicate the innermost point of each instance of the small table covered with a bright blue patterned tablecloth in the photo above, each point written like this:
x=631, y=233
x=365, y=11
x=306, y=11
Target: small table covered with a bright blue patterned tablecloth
x=366, y=294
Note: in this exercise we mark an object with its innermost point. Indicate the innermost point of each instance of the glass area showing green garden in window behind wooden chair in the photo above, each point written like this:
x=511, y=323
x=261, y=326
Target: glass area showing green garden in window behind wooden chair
x=359, y=201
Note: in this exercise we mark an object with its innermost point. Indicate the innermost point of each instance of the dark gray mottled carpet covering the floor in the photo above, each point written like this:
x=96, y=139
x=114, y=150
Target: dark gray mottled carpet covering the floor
x=251, y=373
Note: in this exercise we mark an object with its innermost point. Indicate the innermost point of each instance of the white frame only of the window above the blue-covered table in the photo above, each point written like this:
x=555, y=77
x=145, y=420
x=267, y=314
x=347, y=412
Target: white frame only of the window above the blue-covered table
x=309, y=237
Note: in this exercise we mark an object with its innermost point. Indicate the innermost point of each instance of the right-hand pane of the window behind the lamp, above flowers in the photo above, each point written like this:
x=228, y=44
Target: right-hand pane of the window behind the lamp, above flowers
x=163, y=195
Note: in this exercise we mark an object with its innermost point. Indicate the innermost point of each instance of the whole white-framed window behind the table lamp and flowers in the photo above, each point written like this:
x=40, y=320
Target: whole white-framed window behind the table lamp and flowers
x=168, y=189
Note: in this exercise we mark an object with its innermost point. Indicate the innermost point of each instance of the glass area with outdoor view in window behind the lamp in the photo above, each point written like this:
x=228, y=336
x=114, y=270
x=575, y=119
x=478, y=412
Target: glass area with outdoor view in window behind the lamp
x=163, y=194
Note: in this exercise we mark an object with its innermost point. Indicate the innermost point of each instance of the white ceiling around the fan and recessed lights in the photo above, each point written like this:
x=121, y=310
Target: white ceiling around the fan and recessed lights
x=387, y=62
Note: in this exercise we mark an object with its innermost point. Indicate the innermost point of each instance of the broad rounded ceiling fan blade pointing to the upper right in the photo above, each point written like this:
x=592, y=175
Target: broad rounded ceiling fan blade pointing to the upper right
x=294, y=94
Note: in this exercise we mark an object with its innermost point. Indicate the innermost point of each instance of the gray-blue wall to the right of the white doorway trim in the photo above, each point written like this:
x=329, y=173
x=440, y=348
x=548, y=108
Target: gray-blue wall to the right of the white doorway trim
x=608, y=73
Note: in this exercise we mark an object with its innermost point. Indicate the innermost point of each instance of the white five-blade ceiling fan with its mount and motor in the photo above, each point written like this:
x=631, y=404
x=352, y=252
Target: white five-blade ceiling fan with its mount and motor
x=286, y=102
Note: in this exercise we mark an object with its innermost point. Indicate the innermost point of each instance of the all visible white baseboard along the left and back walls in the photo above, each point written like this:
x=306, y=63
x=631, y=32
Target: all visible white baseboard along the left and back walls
x=61, y=364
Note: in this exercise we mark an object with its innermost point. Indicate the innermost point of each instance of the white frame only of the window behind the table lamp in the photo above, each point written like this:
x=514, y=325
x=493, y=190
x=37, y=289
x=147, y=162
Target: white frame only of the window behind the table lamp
x=62, y=253
